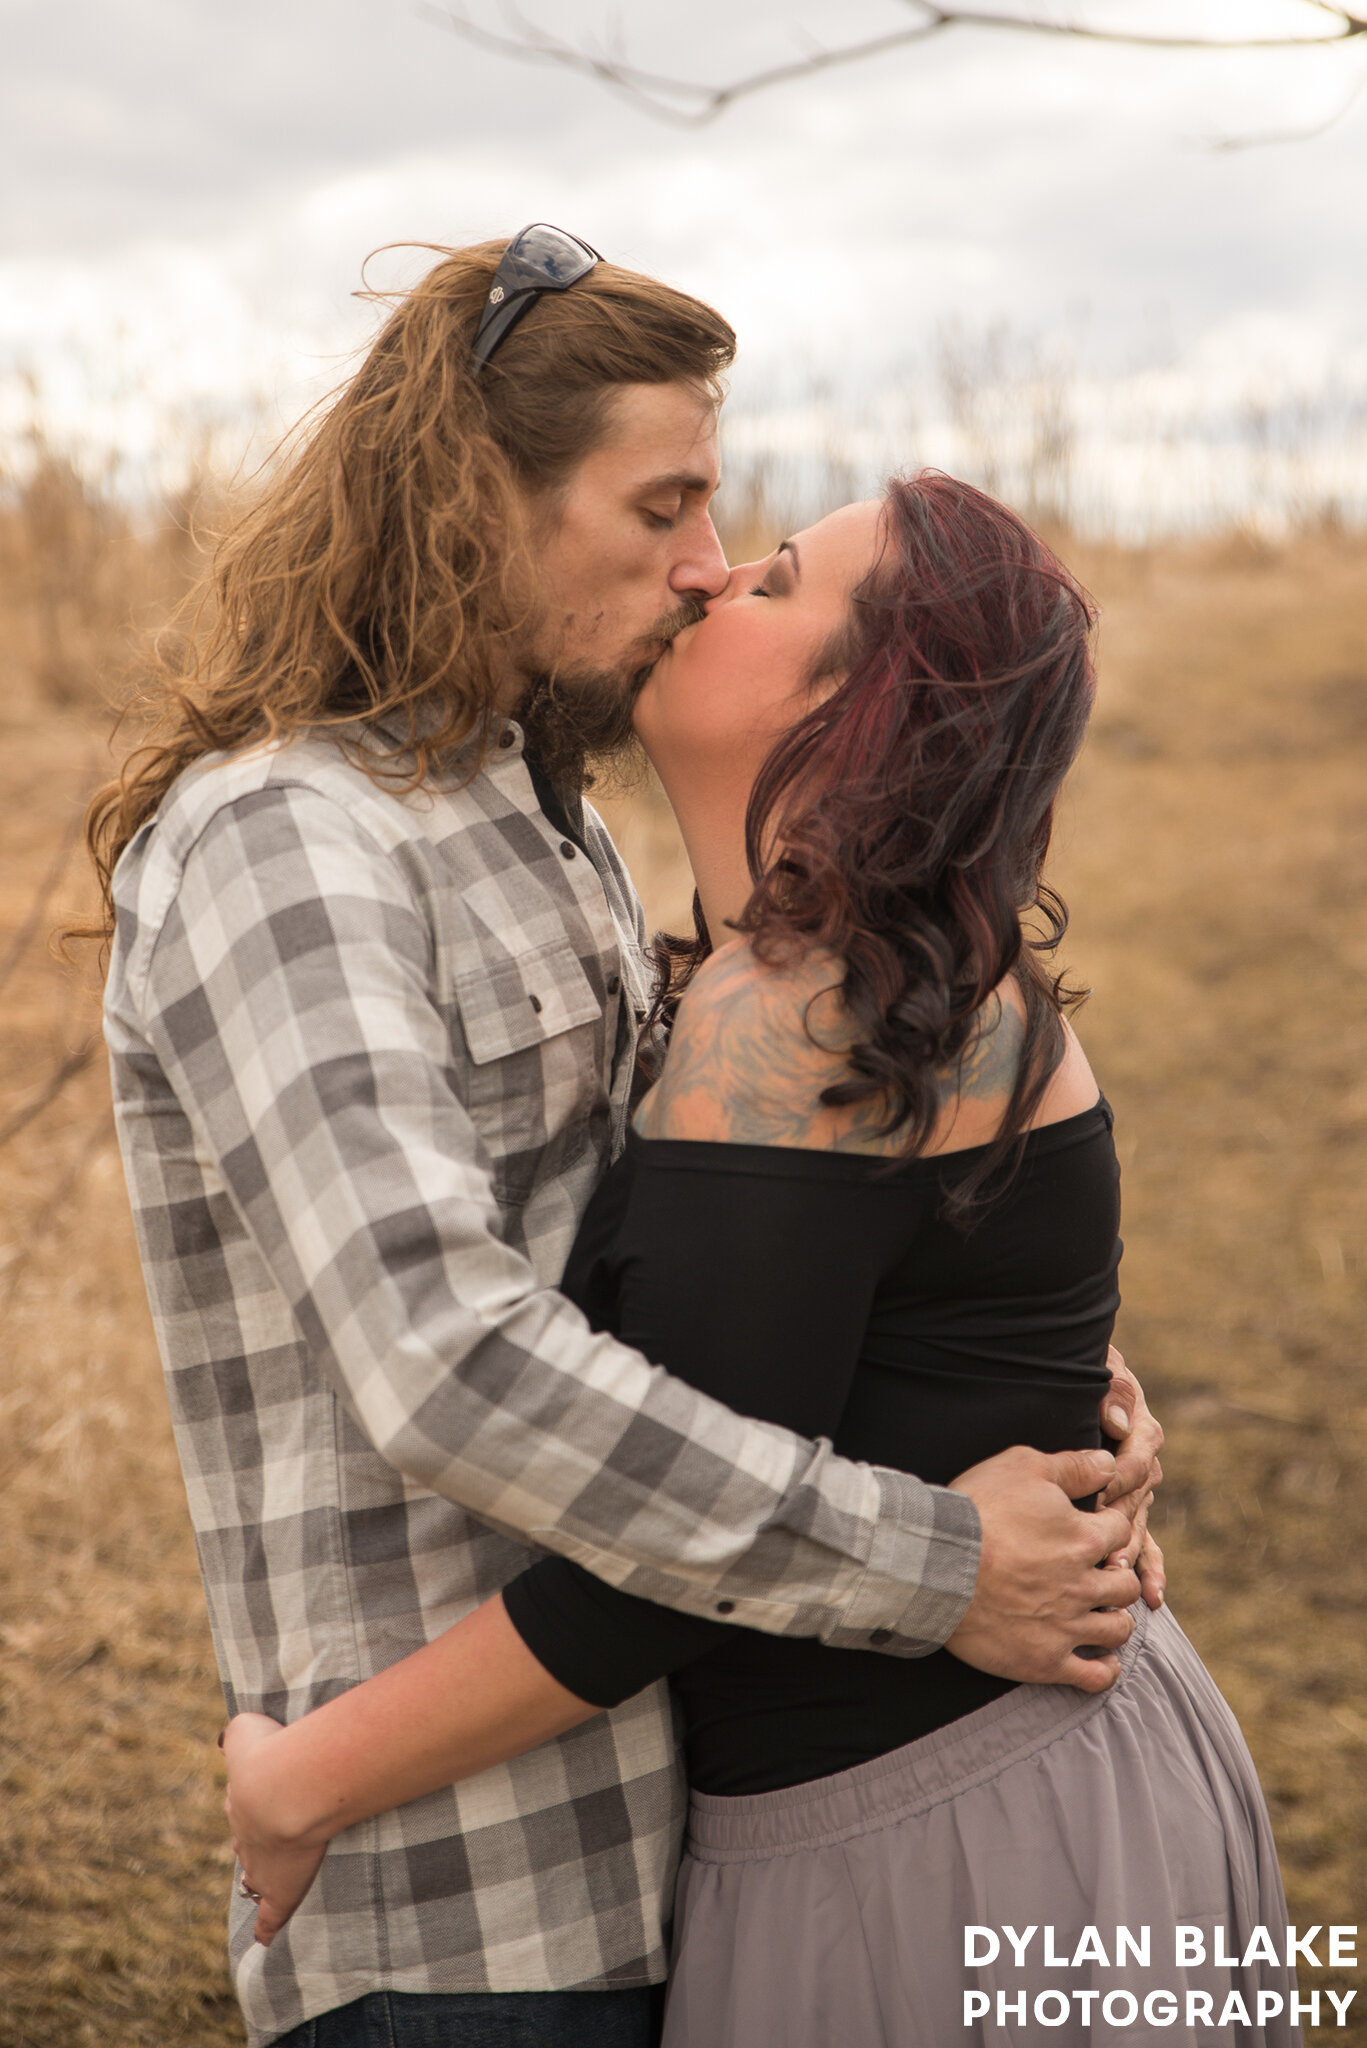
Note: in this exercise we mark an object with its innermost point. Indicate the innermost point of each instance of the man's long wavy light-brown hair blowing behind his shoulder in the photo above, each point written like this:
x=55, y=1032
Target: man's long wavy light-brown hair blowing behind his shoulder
x=386, y=568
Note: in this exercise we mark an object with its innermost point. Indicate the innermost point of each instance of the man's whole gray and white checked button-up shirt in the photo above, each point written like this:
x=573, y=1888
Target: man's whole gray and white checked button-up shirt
x=372, y=1054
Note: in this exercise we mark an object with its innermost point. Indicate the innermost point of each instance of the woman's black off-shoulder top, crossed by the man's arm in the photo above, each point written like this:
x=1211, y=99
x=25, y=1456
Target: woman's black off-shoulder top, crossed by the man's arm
x=827, y=1293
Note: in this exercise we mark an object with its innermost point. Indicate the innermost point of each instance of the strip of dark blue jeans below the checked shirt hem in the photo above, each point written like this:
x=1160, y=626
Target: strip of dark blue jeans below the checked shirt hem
x=487, y=2020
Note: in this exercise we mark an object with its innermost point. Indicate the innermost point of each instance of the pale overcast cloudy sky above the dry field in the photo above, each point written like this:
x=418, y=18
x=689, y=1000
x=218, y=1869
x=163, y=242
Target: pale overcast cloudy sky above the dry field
x=188, y=191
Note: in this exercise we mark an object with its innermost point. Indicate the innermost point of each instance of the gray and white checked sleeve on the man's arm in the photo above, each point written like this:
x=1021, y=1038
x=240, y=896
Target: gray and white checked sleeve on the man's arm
x=286, y=988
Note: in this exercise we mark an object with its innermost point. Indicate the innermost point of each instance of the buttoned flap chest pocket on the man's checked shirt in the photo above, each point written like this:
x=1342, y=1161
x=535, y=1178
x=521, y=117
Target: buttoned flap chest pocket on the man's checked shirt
x=534, y=1043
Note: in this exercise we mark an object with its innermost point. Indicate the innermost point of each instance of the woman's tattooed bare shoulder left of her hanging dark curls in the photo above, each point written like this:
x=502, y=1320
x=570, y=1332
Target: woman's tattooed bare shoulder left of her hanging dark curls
x=751, y=1052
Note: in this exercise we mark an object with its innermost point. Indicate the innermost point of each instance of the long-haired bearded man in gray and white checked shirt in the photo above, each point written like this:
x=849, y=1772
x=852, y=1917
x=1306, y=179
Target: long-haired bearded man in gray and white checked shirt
x=374, y=1005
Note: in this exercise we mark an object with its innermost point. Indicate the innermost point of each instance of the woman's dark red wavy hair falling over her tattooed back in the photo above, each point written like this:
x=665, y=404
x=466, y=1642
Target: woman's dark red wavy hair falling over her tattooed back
x=905, y=820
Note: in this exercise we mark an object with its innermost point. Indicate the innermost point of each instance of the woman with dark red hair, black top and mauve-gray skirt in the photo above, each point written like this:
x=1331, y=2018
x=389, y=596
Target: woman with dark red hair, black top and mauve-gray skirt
x=872, y=1197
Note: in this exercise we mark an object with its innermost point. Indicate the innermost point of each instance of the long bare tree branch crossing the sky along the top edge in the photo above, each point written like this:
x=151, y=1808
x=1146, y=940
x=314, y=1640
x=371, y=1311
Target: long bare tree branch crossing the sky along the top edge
x=690, y=103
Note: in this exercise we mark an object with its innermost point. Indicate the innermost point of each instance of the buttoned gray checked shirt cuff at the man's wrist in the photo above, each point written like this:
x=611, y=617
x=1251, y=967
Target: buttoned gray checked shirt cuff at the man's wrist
x=921, y=1574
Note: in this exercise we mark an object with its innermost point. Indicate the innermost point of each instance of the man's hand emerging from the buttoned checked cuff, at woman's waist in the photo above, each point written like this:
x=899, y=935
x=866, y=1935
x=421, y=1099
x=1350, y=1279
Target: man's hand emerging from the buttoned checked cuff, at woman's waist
x=1044, y=1570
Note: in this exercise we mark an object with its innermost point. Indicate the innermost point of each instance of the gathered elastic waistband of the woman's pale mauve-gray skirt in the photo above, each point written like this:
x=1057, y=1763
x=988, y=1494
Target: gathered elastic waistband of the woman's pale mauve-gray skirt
x=907, y=1781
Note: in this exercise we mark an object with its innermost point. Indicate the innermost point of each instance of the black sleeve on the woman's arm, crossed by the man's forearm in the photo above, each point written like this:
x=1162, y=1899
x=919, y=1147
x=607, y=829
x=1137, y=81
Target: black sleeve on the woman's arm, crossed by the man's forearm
x=747, y=1283
